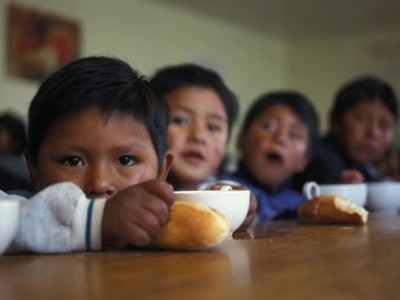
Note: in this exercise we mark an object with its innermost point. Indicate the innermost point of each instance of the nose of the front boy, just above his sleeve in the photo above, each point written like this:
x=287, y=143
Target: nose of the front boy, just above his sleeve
x=99, y=182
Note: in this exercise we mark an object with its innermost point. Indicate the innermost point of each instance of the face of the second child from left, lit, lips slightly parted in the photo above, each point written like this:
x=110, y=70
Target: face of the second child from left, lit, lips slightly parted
x=197, y=134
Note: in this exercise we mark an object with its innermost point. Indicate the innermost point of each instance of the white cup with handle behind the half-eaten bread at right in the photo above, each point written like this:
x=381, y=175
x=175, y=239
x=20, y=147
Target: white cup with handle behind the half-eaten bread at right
x=355, y=192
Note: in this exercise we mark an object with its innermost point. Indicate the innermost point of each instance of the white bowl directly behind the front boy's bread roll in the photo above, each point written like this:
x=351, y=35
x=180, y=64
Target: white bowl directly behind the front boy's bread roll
x=233, y=204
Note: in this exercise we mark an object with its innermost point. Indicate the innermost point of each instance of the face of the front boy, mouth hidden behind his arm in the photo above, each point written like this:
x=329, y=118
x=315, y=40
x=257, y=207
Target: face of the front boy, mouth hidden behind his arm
x=100, y=155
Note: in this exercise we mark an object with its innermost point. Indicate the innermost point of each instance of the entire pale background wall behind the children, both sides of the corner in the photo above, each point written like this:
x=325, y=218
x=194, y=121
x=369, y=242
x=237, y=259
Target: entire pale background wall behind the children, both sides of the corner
x=151, y=35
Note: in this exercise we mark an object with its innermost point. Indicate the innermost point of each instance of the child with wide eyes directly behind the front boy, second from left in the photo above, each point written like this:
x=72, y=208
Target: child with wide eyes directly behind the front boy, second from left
x=203, y=111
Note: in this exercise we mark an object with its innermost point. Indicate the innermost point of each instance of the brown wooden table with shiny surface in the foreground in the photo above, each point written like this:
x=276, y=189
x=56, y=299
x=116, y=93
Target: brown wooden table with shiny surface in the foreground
x=279, y=260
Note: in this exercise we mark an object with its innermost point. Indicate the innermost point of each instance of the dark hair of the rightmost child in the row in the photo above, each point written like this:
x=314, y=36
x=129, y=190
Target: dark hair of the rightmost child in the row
x=364, y=89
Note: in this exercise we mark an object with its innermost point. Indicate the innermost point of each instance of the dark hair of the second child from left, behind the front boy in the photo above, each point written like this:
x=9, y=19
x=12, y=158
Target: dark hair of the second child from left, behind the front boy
x=171, y=78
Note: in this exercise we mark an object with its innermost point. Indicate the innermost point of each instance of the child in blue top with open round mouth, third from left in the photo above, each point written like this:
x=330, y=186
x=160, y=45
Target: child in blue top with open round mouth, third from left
x=276, y=141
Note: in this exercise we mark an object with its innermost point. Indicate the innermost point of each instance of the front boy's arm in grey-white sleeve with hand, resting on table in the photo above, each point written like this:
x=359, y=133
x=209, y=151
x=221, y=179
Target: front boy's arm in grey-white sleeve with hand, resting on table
x=60, y=219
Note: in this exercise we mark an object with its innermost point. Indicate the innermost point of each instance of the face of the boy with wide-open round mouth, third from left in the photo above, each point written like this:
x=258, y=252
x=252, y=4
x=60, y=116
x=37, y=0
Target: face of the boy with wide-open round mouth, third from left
x=274, y=147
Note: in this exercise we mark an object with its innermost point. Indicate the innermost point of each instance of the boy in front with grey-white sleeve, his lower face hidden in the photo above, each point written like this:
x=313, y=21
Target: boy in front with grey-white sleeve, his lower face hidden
x=97, y=131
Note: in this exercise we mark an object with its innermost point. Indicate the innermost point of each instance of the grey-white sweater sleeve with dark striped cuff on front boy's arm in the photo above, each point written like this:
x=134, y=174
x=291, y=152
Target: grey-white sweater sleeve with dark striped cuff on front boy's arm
x=58, y=219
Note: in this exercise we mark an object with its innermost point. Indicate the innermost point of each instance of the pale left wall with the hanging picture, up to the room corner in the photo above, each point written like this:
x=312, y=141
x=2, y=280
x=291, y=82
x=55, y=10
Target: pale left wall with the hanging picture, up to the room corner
x=149, y=36
